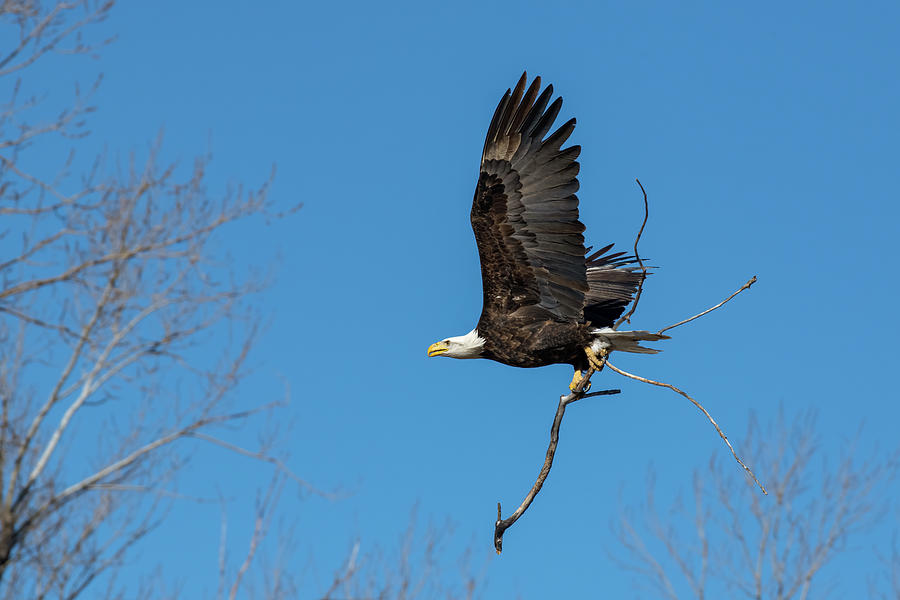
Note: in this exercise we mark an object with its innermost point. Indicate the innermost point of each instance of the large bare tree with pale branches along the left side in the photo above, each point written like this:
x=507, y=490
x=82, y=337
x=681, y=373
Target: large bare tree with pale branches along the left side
x=113, y=288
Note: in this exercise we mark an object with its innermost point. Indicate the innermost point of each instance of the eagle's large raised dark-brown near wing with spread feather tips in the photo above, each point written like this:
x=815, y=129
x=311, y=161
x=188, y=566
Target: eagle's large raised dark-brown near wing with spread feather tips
x=525, y=211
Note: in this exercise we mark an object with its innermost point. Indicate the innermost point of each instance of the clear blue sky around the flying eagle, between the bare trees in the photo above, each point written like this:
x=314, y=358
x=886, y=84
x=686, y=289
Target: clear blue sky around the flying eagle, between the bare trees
x=764, y=133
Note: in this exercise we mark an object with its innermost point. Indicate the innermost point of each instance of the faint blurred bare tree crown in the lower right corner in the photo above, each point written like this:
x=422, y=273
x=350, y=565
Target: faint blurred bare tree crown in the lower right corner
x=732, y=542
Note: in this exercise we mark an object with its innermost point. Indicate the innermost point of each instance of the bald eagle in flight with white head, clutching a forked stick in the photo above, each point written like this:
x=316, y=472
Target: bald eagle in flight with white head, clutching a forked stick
x=545, y=300
